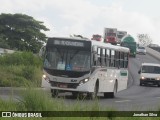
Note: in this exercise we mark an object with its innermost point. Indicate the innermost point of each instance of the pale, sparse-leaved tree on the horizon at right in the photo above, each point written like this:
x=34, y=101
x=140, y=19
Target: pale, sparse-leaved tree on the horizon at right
x=144, y=39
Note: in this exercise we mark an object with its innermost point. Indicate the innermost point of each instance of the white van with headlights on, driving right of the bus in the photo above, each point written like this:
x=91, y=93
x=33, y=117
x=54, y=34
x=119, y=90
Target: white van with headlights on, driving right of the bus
x=150, y=74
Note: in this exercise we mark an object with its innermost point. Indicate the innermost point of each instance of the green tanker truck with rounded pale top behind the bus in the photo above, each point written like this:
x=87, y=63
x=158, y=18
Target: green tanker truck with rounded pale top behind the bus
x=129, y=42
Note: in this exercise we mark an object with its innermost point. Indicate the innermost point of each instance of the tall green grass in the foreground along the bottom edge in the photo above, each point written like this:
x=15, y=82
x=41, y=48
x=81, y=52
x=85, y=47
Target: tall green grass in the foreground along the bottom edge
x=39, y=100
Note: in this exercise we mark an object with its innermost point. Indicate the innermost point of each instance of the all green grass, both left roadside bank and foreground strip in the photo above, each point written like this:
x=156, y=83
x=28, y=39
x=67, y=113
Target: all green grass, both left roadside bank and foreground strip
x=23, y=69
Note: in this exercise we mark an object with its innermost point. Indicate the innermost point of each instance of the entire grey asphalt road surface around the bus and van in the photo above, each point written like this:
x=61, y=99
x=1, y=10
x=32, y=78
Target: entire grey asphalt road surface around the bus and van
x=134, y=98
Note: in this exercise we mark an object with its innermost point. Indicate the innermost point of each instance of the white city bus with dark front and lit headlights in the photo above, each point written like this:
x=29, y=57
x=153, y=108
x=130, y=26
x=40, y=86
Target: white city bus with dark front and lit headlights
x=84, y=66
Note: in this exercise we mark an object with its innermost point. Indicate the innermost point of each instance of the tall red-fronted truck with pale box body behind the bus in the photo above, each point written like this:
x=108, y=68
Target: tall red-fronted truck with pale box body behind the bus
x=110, y=35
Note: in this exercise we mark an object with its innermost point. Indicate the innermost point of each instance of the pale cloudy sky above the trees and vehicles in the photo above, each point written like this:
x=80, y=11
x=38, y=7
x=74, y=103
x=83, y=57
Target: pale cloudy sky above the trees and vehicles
x=87, y=17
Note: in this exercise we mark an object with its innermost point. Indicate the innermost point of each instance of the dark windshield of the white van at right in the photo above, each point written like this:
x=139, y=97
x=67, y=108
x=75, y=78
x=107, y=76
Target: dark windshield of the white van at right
x=151, y=69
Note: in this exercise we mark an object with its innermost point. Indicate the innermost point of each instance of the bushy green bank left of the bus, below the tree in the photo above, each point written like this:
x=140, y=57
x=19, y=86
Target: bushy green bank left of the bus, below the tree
x=20, y=69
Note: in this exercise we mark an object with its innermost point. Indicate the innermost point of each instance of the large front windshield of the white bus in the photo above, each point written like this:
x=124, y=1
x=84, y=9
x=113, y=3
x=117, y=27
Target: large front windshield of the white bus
x=67, y=59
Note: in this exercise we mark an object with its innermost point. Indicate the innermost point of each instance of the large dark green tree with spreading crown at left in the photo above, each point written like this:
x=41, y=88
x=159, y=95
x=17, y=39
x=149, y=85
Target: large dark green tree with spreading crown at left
x=21, y=32
